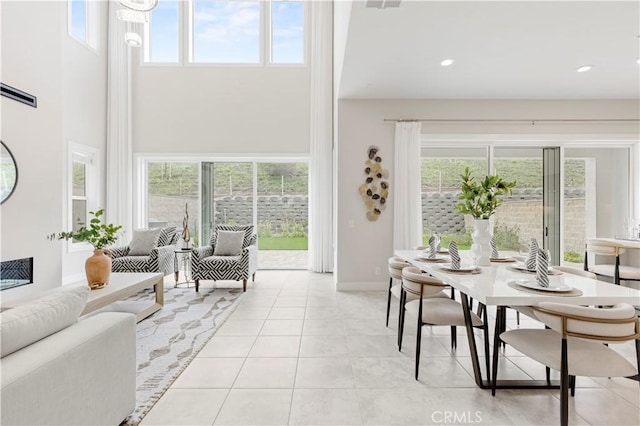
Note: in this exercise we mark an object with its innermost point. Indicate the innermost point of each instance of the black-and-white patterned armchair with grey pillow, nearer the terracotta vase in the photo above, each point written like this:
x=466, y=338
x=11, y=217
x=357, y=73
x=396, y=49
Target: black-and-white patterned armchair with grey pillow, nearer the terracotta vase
x=149, y=251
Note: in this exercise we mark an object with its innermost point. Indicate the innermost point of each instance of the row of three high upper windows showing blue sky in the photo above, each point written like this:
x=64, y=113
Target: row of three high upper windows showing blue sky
x=226, y=32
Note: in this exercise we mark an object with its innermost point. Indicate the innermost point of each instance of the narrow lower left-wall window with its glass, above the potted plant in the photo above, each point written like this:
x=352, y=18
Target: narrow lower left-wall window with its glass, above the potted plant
x=83, y=185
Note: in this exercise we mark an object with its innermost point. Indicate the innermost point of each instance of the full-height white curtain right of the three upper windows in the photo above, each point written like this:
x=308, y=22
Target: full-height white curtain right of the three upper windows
x=321, y=139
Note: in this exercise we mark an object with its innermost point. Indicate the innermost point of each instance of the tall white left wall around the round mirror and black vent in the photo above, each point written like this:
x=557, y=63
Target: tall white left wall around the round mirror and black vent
x=38, y=57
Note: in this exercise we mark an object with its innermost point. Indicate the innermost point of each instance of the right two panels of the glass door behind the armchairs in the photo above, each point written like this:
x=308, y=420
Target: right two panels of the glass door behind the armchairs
x=273, y=196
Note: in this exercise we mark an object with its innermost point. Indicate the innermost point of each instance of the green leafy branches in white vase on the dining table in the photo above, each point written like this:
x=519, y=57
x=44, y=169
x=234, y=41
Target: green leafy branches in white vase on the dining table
x=481, y=200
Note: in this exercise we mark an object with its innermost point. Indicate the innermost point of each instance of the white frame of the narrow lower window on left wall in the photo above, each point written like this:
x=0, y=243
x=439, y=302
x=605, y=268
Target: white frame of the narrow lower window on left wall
x=90, y=156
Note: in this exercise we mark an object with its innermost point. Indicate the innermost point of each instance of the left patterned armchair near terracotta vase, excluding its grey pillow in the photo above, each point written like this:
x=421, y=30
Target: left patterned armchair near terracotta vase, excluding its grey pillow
x=160, y=259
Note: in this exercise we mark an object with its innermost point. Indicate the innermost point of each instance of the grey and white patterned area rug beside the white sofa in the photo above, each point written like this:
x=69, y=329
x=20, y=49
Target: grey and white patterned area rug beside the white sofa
x=168, y=340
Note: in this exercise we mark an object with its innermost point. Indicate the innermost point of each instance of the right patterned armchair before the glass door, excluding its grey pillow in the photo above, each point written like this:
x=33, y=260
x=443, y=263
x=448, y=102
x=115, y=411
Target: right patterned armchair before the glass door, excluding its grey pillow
x=206, y=266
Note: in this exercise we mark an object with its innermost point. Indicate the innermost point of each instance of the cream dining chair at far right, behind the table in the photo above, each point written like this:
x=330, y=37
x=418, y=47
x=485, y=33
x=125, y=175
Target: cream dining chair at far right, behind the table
x=614, y=271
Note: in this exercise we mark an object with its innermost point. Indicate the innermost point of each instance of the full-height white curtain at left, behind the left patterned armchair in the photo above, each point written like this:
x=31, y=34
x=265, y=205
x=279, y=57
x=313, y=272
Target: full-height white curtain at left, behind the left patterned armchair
x=119, y=151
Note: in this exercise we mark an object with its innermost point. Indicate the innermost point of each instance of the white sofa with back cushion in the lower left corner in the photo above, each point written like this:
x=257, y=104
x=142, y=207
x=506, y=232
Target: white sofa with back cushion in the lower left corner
x=58, y=370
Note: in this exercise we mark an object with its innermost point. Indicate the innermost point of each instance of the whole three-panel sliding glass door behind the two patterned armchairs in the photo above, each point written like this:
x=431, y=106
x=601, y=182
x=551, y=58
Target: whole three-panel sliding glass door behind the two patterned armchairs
x=271, y=194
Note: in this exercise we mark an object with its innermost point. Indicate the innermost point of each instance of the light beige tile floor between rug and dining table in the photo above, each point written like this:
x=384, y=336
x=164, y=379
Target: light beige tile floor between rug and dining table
x=297, y=352
